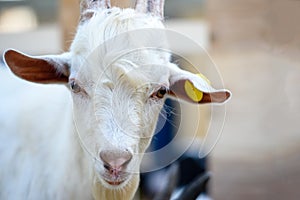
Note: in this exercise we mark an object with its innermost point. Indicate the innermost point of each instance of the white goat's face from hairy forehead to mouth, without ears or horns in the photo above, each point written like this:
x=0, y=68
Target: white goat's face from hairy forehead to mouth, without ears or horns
x=117, y=96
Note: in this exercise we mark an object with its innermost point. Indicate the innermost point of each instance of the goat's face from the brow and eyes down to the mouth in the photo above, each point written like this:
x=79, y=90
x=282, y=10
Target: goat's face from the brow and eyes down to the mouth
x=118, y=118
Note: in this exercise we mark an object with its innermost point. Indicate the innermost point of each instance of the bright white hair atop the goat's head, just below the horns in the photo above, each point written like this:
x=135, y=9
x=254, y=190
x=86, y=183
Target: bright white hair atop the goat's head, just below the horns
x=106, y=24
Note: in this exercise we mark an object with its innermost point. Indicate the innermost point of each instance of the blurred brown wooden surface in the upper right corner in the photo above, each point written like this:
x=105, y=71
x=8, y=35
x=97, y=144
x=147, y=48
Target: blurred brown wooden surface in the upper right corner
x=236, y=22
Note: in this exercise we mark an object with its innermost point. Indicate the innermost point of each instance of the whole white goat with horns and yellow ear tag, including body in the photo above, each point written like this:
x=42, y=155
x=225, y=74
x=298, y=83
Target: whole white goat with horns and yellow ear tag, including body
x=40, y=154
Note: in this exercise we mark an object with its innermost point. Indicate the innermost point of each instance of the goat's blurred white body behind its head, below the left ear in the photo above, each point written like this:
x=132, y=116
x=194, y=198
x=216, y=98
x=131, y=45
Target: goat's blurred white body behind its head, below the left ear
x=39, y=153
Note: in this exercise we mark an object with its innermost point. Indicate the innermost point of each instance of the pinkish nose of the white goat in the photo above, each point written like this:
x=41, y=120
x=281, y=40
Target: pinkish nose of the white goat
x=115, y=159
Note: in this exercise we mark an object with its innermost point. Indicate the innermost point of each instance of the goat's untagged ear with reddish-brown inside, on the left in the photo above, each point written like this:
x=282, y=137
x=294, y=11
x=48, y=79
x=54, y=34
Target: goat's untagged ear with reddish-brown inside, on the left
x=39, y=69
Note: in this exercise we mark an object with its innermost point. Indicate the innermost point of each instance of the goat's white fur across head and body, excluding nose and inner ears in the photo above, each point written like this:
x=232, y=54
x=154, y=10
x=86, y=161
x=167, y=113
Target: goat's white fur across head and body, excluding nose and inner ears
x=41, y=156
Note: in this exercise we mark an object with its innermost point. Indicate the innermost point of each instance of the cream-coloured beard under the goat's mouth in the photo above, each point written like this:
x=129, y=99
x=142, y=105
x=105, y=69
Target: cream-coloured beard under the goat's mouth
x=124, y=191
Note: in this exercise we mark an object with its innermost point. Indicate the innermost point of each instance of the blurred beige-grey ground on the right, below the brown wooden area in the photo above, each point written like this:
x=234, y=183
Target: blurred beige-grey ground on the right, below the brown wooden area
x=258, y=154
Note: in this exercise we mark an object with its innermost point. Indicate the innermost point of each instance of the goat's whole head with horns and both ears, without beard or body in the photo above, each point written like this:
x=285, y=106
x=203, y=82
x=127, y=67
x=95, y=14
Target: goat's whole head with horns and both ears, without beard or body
x=116, y=101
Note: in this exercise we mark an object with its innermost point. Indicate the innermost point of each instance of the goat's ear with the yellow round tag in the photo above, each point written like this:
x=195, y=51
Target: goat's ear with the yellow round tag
x=196, y=89
